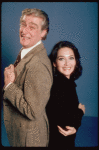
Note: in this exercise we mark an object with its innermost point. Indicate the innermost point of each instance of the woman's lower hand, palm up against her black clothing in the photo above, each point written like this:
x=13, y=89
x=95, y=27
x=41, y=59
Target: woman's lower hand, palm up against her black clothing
x=68, y=131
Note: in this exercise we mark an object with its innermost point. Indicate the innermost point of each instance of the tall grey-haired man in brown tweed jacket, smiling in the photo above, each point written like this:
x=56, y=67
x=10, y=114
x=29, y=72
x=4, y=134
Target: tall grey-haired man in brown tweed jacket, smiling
x=27, y=85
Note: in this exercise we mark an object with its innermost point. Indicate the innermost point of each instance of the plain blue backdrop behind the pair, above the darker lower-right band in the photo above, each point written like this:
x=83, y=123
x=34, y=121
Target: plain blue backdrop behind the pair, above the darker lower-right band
x=76, y=22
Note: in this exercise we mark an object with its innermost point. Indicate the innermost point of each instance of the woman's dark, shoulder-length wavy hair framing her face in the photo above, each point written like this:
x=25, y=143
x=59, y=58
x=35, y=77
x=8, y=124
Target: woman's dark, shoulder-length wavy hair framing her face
x=78, y=68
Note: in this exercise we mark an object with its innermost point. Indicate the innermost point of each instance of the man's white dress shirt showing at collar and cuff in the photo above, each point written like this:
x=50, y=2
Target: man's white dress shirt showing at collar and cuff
x=23, y=53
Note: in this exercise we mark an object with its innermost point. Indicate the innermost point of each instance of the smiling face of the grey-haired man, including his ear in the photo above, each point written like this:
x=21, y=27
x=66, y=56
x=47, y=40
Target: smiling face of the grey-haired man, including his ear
x=30, y=31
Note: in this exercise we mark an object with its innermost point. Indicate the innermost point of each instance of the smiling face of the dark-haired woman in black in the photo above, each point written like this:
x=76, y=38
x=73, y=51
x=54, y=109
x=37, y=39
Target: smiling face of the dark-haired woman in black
x=65, y=61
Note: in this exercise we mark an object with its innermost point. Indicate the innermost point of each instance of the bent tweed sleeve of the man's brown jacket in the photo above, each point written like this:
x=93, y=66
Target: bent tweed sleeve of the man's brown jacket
x=32, y=100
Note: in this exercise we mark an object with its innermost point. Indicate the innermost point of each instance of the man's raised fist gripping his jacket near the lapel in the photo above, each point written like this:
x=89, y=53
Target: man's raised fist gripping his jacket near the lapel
x=9, y=75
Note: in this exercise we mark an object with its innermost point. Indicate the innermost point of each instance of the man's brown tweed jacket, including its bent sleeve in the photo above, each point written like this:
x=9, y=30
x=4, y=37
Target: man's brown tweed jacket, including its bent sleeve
x=25, y=100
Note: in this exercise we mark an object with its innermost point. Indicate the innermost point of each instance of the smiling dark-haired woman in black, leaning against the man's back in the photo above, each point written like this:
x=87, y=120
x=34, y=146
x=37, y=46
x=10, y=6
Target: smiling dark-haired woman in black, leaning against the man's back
x=64, y=111
